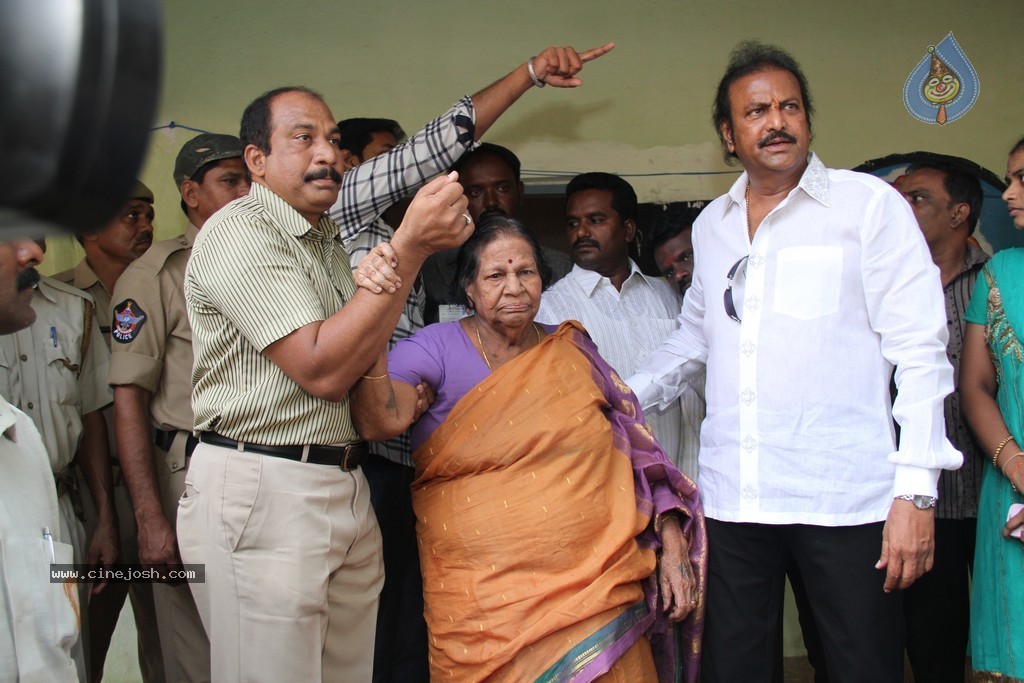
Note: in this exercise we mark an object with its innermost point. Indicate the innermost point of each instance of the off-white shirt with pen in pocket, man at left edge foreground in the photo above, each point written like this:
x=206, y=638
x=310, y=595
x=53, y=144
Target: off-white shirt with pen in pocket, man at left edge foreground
x=38, y=620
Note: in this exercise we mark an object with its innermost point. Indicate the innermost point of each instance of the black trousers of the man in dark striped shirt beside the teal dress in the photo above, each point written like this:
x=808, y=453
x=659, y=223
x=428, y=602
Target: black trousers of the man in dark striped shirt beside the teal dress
x=938, y=608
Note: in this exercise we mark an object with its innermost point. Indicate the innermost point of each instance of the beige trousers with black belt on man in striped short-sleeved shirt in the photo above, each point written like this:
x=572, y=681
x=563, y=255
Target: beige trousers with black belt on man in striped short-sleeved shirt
x=293, y=567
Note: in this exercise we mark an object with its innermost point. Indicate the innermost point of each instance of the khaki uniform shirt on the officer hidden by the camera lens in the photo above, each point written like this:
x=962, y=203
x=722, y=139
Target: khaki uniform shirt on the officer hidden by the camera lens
x=56, y=370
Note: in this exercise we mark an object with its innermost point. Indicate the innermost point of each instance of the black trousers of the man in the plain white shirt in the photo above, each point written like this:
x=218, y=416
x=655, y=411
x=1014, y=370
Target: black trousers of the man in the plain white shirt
x=862, y=628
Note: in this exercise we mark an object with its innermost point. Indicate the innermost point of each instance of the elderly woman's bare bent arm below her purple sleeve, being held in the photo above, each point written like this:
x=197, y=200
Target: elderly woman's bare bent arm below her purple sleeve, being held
x=382, y=408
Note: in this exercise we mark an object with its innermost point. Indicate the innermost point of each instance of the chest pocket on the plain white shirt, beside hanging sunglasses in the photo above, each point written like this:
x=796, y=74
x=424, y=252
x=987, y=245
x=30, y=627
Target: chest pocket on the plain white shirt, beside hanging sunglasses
x=808, y=281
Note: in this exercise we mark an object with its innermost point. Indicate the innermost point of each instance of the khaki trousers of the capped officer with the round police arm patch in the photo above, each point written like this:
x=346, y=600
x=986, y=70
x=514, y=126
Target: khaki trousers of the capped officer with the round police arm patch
x=183, y=638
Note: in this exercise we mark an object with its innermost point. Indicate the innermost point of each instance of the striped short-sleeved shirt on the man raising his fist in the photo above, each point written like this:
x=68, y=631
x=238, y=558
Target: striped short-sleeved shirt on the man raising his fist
x=259, y=273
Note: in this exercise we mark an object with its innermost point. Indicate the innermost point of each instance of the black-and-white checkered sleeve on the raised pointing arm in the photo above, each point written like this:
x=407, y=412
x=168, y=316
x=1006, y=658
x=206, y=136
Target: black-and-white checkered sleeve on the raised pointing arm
x=374, y=186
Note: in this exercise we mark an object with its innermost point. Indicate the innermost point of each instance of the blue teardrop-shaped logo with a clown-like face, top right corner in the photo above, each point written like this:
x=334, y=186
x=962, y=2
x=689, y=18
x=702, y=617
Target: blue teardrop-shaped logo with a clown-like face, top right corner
x=944, y=87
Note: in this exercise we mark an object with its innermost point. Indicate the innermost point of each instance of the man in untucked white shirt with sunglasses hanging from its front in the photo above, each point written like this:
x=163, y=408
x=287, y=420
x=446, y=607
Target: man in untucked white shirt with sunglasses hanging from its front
x=812, y=286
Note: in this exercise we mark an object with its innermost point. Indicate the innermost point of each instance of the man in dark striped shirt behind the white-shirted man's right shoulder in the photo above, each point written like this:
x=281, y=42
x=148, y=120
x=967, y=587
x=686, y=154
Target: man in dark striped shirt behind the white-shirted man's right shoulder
x=947, y=200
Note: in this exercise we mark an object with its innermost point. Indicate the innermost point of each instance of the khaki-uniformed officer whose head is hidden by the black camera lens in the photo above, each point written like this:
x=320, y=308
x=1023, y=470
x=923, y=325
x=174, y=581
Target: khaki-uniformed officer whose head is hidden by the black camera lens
x=56, y=372
